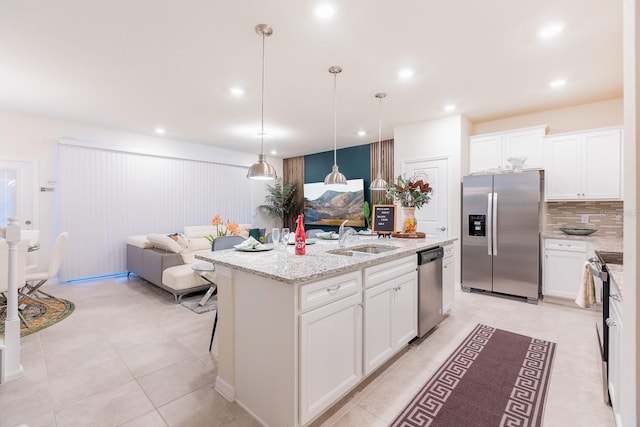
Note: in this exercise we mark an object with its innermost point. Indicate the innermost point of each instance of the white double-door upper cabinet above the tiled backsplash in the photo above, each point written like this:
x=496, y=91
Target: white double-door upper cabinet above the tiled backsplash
x=584, y=165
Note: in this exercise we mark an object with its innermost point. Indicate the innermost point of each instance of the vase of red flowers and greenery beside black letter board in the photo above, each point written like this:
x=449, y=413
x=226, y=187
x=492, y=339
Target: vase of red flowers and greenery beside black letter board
x=412, y=193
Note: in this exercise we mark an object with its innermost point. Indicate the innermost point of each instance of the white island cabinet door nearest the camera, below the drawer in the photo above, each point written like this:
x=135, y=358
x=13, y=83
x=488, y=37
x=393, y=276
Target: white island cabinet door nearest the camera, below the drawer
x=330, y=354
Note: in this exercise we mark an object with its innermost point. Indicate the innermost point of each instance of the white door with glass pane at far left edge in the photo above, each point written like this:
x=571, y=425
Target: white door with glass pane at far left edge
x=17, y=191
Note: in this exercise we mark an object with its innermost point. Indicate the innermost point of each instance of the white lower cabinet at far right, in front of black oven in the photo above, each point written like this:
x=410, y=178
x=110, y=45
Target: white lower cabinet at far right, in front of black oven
x=614, y=322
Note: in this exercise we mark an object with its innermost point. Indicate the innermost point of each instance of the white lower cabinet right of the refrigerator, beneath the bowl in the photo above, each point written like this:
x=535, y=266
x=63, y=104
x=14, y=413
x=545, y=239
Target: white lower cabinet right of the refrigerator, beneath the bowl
x=563, y=267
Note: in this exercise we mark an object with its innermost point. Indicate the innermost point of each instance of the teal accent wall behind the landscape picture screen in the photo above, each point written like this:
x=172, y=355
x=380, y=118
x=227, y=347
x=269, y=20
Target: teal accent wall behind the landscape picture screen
x=353, y=163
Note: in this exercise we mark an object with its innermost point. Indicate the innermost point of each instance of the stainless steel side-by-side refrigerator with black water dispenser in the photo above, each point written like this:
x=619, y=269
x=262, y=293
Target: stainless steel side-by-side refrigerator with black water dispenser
x=501, y=233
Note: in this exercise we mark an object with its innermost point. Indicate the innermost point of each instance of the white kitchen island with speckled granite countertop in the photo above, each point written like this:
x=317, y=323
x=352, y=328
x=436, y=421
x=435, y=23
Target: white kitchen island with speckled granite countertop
x=296, y=333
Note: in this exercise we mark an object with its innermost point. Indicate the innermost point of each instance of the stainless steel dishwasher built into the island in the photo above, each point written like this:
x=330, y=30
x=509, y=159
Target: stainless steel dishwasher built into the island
x=429, y=289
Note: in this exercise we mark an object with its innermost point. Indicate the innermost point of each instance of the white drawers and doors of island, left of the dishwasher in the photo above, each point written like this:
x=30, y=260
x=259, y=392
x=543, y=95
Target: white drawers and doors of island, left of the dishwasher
x=342, y=328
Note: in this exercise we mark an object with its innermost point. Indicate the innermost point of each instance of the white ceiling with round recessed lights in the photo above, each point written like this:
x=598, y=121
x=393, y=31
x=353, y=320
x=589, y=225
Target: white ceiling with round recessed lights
x=140, y=64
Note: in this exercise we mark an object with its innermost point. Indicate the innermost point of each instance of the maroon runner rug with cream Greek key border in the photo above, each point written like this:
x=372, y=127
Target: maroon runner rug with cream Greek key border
x=494, y=378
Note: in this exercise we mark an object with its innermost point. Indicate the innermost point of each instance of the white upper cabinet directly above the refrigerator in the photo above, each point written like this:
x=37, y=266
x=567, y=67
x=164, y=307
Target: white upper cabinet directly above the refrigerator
x=489, y=152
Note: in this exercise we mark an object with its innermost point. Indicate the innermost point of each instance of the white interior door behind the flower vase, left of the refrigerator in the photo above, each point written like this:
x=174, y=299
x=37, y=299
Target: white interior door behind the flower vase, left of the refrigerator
x=432, y=218
